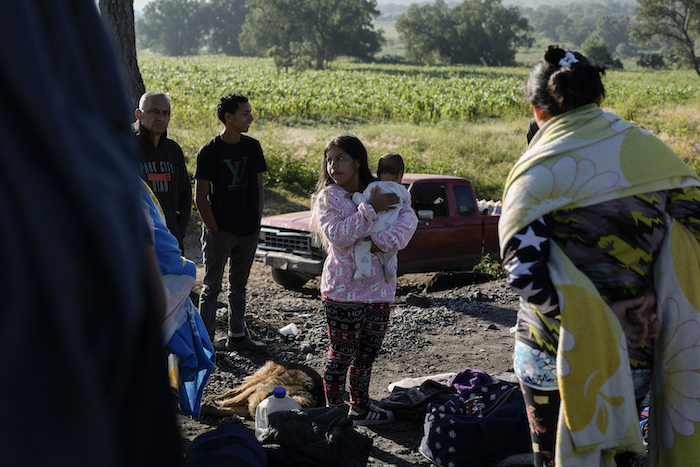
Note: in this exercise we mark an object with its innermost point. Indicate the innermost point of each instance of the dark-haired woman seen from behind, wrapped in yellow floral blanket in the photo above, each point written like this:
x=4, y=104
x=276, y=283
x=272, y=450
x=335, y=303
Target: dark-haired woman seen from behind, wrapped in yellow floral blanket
x=599, y=236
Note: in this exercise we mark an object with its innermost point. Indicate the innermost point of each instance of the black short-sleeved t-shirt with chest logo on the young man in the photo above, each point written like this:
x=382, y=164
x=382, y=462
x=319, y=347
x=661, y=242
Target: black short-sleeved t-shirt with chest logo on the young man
x=233, y=172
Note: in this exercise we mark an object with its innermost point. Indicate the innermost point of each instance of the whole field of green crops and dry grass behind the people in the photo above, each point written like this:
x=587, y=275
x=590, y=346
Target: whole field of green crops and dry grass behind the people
x=463, y=120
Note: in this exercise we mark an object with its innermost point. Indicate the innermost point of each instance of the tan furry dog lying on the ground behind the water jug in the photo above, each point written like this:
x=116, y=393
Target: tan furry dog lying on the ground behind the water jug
x=302, y=383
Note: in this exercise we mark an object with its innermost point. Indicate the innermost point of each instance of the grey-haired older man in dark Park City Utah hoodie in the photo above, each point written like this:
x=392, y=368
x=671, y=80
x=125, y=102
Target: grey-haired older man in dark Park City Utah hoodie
x=163, y=163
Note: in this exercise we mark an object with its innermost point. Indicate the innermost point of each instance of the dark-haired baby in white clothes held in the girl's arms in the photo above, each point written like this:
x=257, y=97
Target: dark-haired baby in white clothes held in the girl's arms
x=390, y=172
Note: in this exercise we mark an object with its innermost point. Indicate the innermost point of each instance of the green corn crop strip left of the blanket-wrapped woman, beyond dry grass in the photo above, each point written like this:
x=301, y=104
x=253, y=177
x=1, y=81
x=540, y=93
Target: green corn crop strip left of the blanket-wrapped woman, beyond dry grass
x=344, y=92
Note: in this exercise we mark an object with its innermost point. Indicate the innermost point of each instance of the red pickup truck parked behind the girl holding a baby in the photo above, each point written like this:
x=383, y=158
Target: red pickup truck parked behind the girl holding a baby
x=452, y=234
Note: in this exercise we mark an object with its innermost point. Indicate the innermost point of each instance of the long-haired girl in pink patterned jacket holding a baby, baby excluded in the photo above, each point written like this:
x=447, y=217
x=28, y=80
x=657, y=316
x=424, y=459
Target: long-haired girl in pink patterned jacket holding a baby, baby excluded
x=357, y=313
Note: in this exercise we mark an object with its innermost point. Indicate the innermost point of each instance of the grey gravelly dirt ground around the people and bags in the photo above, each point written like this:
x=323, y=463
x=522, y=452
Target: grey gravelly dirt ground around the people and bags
x=465, y=326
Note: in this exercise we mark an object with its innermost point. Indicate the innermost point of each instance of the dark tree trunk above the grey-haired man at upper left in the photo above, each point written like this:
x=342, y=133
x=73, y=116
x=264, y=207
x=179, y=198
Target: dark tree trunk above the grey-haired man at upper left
x=118, y=16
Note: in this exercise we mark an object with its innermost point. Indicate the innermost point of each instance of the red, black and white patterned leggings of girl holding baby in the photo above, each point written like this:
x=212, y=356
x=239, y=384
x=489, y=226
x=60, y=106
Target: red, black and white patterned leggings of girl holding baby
x=356, y=332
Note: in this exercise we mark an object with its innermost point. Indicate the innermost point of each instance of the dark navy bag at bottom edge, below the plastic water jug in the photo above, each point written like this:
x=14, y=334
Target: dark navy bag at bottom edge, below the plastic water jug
x=226, y=446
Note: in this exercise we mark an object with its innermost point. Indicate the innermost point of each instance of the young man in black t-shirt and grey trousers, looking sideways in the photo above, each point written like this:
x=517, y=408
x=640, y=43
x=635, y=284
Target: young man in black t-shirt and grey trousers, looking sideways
x=229, y=197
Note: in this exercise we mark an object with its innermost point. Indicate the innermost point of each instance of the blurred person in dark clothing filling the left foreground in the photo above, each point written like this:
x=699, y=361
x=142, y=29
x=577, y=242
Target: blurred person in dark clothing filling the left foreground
x=84, y=378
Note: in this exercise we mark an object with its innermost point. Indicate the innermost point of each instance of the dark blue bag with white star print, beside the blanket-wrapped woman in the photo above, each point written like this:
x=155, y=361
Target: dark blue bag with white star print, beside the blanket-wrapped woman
x=480, y=426
